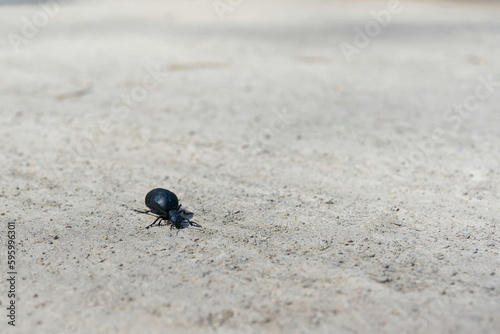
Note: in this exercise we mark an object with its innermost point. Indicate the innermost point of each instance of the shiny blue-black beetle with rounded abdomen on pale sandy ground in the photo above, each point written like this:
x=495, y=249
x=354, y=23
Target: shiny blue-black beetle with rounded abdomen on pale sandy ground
x=165, y=205
